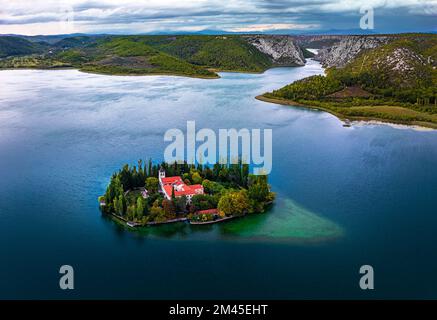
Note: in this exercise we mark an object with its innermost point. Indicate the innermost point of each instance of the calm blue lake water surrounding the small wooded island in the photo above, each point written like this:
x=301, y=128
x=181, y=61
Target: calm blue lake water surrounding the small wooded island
x=346, y=196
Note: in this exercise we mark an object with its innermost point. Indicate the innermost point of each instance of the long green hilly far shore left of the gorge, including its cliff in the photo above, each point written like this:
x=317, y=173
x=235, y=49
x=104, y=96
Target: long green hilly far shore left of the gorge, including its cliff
x=199, y=56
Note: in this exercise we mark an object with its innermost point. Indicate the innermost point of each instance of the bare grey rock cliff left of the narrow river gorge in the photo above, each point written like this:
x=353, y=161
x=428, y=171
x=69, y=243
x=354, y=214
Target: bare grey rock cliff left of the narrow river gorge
x=281, y=49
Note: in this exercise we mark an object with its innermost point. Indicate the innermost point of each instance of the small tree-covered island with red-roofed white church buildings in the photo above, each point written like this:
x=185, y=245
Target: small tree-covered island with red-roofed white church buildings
x=152, y=194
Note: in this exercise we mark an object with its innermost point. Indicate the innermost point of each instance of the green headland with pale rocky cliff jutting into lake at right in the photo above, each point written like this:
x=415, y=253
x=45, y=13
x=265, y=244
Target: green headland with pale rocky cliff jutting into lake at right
x=393, y=79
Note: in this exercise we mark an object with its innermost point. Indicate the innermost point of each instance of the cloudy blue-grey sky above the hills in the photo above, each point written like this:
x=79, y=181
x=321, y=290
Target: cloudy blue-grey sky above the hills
x=166, y=16
